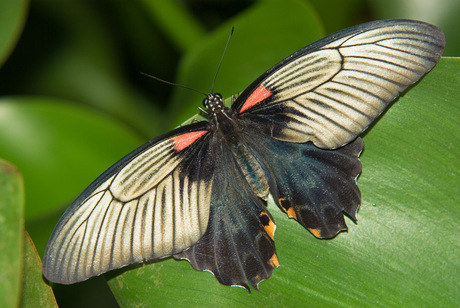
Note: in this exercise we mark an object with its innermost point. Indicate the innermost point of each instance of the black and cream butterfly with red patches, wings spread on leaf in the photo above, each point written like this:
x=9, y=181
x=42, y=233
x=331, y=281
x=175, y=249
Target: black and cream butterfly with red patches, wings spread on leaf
x=199, y=192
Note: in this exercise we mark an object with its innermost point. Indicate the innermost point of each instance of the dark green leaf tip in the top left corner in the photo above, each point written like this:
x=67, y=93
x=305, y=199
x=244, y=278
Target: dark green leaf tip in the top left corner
x=12, y=18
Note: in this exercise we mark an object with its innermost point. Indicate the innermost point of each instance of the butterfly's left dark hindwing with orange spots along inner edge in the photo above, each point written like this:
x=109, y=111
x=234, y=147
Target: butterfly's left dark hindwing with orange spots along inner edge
x=238, y=246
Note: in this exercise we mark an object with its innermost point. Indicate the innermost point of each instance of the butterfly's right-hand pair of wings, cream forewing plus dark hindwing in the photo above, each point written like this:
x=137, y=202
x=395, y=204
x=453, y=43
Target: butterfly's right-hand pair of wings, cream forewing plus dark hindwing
x=311, y=105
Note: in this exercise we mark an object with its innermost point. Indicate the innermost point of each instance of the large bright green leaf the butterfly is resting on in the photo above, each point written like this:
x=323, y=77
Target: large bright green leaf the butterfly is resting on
x=404, y=249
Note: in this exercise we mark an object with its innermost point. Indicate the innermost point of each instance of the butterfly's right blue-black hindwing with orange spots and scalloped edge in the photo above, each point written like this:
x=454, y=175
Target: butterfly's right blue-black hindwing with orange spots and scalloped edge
x=312, y=185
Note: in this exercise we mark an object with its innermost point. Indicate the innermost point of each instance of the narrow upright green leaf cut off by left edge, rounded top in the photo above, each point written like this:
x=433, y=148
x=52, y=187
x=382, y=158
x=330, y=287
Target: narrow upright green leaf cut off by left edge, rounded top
x=11, y=226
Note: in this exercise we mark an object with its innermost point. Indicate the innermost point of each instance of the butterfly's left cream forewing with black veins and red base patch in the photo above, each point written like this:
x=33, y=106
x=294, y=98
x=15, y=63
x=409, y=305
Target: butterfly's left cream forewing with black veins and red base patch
x=151, y=204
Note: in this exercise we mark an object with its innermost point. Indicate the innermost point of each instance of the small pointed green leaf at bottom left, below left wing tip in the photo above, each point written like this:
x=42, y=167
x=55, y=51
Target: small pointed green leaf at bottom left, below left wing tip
x=35, y=292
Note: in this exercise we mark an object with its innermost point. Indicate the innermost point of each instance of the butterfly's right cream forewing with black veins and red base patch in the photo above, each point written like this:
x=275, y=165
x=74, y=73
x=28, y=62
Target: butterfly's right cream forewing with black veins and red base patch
x=331, y=91
